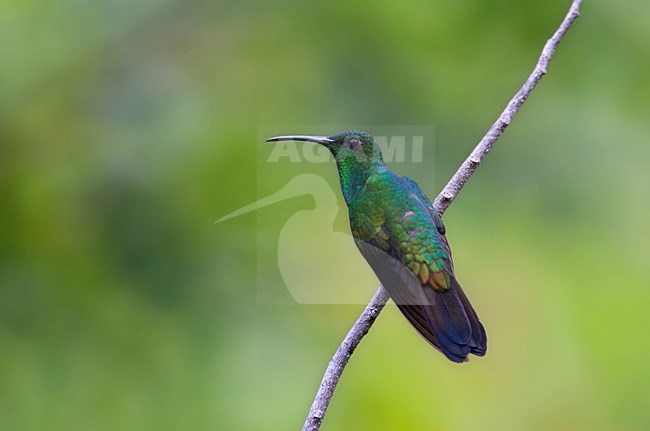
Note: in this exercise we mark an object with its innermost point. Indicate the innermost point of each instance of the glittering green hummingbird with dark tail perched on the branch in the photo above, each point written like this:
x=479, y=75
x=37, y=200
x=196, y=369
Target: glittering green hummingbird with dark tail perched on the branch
x=403, y=239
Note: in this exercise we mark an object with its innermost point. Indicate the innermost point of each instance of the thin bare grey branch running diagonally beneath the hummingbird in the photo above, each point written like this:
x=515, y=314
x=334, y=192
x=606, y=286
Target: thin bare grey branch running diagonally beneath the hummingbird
x=444, y=199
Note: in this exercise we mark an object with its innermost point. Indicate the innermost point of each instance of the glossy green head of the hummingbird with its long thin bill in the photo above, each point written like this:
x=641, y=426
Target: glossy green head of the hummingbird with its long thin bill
x=348, y=146
